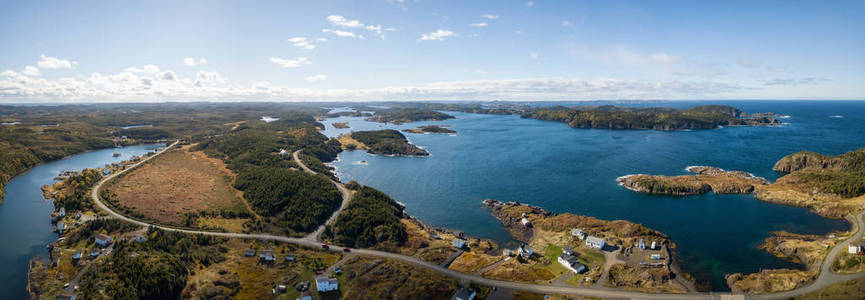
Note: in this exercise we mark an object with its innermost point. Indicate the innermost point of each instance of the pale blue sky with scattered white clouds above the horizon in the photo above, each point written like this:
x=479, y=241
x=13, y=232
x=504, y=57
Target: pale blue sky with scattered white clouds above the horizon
x=391, y=50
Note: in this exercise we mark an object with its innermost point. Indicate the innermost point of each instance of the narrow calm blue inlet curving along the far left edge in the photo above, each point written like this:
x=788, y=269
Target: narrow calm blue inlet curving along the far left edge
x=25, y=226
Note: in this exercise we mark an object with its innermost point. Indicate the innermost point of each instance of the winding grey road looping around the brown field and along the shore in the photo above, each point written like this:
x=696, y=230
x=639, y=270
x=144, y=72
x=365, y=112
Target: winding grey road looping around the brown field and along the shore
x=826, y=277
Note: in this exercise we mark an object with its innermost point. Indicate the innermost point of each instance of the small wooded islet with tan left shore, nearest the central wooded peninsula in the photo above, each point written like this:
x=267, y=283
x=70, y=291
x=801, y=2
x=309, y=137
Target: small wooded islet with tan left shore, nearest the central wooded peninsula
x=386, y=142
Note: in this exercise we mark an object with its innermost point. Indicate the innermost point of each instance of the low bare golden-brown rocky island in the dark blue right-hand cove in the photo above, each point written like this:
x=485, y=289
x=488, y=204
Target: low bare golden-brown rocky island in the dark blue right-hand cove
x=707, y=179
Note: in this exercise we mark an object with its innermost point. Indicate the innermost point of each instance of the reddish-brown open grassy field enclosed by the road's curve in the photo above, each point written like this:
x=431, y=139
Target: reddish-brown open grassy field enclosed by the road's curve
x=175, y=183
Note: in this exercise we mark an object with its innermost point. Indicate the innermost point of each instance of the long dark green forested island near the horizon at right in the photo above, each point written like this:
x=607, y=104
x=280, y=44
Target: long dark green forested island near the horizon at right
x=655, y=118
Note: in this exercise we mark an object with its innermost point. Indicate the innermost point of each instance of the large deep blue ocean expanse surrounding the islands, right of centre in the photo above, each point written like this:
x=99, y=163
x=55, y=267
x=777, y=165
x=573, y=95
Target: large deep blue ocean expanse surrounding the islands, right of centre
x=562, y=169
